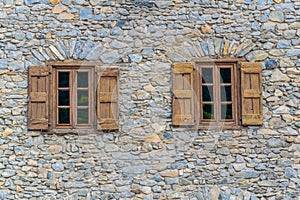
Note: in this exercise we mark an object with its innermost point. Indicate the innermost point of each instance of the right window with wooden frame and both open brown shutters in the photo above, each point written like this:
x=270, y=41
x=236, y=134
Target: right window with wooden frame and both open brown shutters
x=217, y=94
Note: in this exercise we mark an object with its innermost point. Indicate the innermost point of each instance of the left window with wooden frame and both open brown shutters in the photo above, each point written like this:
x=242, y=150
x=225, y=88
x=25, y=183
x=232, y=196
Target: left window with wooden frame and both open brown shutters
x=73, y=98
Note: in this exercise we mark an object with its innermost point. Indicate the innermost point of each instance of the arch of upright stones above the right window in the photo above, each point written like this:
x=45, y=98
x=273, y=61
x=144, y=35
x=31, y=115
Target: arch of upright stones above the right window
x=209, y=48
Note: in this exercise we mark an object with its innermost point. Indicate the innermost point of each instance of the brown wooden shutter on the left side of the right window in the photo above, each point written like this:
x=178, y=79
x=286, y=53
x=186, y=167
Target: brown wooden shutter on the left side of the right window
x=183, y=105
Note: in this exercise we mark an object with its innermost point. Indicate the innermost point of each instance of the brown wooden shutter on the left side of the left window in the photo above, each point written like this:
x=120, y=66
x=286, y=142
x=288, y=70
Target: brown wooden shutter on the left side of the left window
x=38, y=118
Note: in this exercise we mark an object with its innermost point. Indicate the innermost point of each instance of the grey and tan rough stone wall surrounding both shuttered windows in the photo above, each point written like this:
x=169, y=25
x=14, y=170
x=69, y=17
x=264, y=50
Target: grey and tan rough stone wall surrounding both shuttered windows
x=148, y=158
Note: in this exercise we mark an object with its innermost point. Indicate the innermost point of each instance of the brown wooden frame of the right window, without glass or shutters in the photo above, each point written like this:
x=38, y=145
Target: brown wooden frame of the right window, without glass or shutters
x=235, y=82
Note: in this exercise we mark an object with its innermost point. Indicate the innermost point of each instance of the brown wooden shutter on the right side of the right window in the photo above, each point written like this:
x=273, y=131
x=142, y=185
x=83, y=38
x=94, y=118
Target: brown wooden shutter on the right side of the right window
x=251, y=89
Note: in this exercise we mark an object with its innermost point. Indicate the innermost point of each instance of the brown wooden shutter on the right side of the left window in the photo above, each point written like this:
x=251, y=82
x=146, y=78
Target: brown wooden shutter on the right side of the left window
x=108, y=99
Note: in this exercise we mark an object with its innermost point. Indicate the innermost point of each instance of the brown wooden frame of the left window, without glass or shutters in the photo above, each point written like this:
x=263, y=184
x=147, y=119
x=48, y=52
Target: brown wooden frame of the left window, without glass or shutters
x=73, y=127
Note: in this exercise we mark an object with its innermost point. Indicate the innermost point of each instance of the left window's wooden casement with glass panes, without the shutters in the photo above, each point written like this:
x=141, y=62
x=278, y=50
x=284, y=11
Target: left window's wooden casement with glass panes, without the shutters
x=74, y=98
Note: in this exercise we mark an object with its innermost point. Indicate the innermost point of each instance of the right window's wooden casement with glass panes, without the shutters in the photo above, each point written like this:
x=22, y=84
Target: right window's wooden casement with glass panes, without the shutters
x=217, y=93
